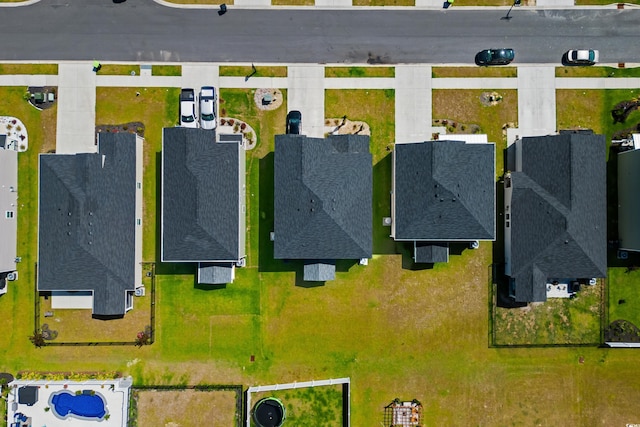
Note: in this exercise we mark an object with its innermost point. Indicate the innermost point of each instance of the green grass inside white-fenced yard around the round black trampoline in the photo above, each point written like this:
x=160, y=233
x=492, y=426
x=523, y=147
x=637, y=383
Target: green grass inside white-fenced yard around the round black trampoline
x=309, y=406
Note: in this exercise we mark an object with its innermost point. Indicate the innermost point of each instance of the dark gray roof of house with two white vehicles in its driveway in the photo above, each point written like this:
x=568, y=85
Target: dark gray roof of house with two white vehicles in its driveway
x=201, y=182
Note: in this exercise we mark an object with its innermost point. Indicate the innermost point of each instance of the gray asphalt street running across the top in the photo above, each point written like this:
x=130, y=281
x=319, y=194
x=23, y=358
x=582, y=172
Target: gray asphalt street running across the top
x=141, y=30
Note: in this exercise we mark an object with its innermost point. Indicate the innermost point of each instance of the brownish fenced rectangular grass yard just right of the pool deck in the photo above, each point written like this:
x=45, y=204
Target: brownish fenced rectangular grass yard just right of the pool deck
x=193, y=407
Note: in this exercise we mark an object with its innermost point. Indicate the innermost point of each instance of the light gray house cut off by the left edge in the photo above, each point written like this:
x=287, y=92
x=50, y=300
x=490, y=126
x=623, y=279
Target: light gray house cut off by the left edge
x=8, y=213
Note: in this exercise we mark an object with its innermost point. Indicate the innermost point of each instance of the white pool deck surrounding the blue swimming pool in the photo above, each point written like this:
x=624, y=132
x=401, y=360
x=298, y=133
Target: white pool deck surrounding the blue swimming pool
x=115, y=392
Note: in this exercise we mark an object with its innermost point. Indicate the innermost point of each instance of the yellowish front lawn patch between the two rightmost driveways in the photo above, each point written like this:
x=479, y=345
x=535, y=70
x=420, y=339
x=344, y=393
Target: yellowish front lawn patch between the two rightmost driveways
x=464, y=106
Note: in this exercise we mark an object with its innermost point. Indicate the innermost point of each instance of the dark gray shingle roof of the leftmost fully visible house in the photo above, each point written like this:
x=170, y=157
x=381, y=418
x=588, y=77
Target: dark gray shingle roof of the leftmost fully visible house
x=87, y=222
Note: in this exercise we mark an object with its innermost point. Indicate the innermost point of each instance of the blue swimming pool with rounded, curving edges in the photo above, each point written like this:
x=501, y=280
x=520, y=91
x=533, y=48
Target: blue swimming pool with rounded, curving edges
x=87, y=405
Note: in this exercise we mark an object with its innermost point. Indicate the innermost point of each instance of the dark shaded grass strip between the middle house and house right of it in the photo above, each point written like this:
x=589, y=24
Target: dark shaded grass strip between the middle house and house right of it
x=382, y=242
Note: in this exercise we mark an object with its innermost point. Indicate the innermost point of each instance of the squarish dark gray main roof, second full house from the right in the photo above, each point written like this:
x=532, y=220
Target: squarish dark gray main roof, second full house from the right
x=444, y=190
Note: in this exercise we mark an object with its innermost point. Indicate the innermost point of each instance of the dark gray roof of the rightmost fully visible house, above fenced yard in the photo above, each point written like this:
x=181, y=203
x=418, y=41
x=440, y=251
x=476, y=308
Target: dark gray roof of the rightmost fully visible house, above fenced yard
x=558, y=212
